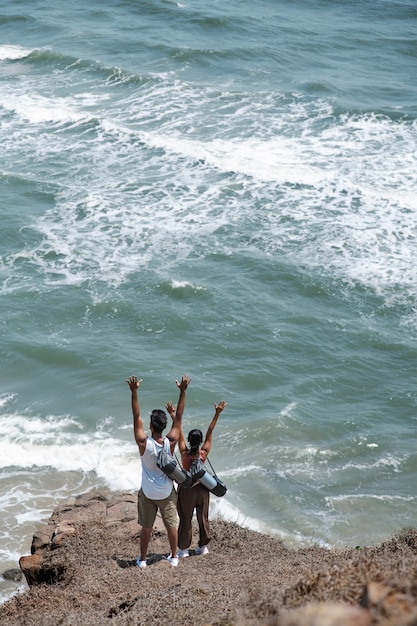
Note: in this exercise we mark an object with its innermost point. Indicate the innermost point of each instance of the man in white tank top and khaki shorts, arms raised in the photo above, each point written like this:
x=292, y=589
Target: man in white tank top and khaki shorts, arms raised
x=157, y=490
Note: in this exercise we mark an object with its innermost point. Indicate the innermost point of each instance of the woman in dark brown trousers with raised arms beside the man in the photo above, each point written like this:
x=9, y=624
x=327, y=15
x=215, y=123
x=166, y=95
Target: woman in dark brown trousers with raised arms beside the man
x=195, y=498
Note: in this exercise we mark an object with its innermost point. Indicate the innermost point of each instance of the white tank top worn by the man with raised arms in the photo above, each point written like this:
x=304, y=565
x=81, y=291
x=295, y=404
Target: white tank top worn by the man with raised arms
x=155, y=484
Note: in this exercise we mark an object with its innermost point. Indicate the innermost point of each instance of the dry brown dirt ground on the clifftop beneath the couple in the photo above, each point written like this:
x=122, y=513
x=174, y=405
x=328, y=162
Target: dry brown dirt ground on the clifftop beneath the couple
x=246, y=579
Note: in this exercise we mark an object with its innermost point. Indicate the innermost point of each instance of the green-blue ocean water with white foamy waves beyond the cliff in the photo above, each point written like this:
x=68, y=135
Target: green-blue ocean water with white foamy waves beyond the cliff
x=226, y=190
